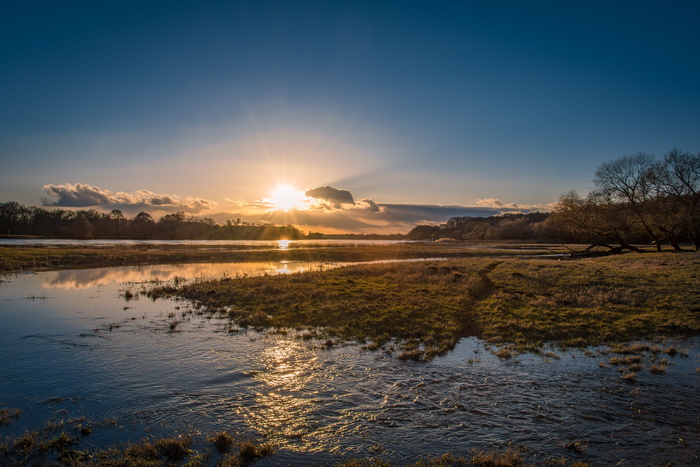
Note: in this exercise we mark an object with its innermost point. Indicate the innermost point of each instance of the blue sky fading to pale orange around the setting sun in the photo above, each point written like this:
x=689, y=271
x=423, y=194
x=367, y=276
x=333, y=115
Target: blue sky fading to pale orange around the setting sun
x=445, y=107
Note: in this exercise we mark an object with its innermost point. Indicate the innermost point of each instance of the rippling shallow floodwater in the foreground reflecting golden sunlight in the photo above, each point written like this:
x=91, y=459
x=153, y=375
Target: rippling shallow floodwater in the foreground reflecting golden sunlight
x=70, y=341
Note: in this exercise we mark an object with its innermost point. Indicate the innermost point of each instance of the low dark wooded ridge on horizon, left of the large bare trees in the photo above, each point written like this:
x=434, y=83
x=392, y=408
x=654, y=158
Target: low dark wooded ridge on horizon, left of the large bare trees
x=518, y=226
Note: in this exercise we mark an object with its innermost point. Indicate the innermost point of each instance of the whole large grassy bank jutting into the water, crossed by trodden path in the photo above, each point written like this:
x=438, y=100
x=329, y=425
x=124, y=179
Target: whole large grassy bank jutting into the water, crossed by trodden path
x=421, y=310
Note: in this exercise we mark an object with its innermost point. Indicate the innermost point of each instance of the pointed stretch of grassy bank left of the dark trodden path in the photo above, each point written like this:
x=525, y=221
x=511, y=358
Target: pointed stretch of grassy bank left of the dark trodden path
x=421, y=307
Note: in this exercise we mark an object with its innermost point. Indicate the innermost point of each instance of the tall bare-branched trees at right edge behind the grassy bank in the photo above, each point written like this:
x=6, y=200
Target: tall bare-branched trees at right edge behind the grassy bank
x=637, y=199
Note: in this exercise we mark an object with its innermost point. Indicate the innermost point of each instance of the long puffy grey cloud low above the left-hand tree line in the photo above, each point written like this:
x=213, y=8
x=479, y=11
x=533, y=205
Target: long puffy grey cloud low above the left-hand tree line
x=81, y=195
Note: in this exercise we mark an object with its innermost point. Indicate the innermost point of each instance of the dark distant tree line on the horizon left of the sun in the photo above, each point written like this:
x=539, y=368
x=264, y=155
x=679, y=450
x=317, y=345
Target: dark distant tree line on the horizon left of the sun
x=17, y=219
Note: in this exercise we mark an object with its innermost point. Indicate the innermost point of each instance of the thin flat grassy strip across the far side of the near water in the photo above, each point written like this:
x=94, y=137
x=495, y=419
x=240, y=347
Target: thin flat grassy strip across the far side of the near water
x=37, y=258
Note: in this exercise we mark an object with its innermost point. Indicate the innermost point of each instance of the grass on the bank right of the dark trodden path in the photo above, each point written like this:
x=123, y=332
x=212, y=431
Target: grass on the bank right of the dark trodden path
x=609, y=301
